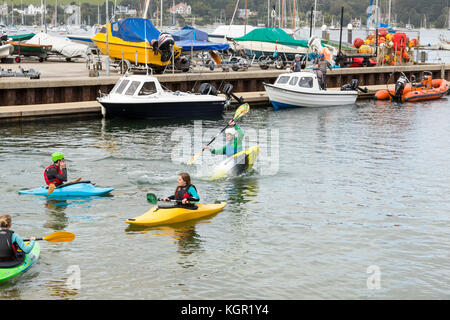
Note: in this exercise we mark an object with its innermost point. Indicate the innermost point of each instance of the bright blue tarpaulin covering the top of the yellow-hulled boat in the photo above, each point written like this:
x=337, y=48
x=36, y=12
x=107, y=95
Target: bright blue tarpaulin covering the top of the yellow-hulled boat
x=134, y=30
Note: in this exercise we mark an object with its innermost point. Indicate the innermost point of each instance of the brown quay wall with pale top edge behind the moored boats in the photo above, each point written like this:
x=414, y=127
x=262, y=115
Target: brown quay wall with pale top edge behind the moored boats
x=19, y=91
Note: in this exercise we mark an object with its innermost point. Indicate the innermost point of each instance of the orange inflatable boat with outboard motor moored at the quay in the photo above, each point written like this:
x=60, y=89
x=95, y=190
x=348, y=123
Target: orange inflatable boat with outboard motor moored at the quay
x=426, y=89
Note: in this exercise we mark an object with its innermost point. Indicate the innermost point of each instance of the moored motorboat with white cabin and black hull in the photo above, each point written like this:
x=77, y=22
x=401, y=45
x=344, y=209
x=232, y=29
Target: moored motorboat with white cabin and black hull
x=141, y=96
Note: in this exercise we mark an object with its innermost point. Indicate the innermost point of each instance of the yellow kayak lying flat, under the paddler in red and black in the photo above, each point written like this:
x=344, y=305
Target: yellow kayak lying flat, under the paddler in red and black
x=160, y=216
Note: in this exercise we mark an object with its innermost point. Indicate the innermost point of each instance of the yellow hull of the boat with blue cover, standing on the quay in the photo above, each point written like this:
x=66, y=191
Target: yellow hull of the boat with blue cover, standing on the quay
x=135, y=52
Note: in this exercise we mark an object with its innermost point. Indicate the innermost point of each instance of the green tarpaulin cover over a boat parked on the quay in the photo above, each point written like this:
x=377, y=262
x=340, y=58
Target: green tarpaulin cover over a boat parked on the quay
x=273, y=35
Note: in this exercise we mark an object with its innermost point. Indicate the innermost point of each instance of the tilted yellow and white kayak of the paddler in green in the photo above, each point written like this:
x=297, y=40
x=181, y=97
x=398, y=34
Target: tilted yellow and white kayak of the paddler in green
x=236, y=164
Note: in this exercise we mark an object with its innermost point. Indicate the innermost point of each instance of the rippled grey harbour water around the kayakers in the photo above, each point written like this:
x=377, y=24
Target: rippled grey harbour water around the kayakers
x=345, y=202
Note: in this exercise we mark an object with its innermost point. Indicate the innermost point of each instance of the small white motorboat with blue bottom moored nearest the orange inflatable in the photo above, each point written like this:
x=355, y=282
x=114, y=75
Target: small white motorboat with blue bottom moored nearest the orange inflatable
x=301, y=89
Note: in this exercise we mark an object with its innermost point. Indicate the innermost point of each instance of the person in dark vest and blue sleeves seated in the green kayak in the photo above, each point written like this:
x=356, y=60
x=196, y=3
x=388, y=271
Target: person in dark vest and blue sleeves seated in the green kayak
x=10, y=243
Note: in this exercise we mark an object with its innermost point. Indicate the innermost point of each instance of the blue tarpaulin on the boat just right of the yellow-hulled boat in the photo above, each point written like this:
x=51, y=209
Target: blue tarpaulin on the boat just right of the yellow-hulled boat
x=191, y=39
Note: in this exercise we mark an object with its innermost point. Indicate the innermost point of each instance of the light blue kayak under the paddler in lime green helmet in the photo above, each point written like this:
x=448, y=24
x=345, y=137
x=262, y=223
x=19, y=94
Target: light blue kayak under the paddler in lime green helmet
x=73, y=190
